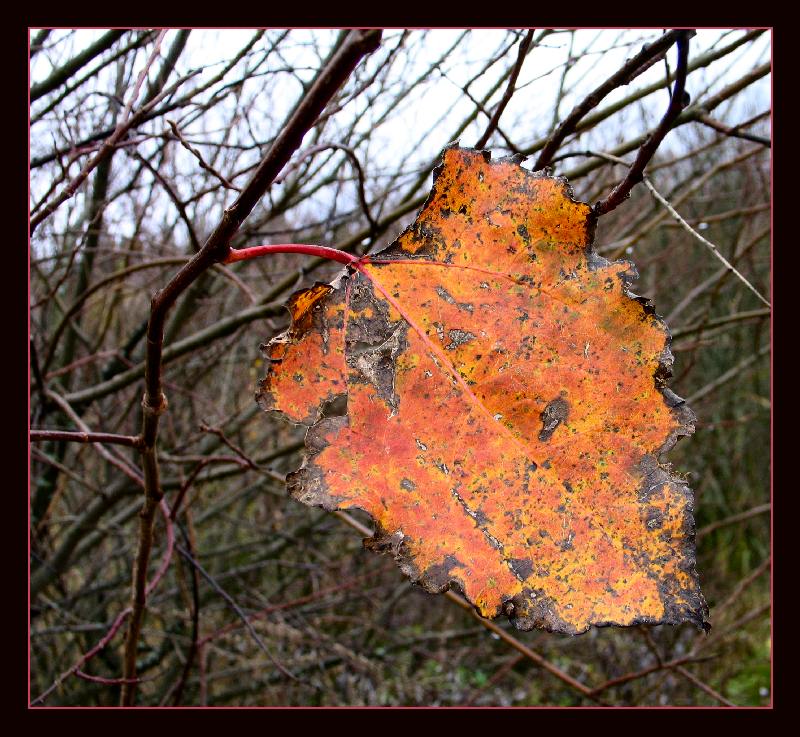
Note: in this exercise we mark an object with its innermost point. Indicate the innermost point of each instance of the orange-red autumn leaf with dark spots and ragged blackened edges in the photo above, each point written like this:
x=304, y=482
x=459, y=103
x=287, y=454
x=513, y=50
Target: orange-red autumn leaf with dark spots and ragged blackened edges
x=491, y=393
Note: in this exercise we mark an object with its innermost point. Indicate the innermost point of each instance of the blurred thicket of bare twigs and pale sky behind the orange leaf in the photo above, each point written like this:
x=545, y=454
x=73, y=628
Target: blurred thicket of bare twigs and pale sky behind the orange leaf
x=348, y=626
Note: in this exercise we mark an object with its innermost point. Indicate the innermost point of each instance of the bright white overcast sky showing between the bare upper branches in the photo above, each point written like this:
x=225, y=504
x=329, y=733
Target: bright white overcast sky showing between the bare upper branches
x=405, y=135
